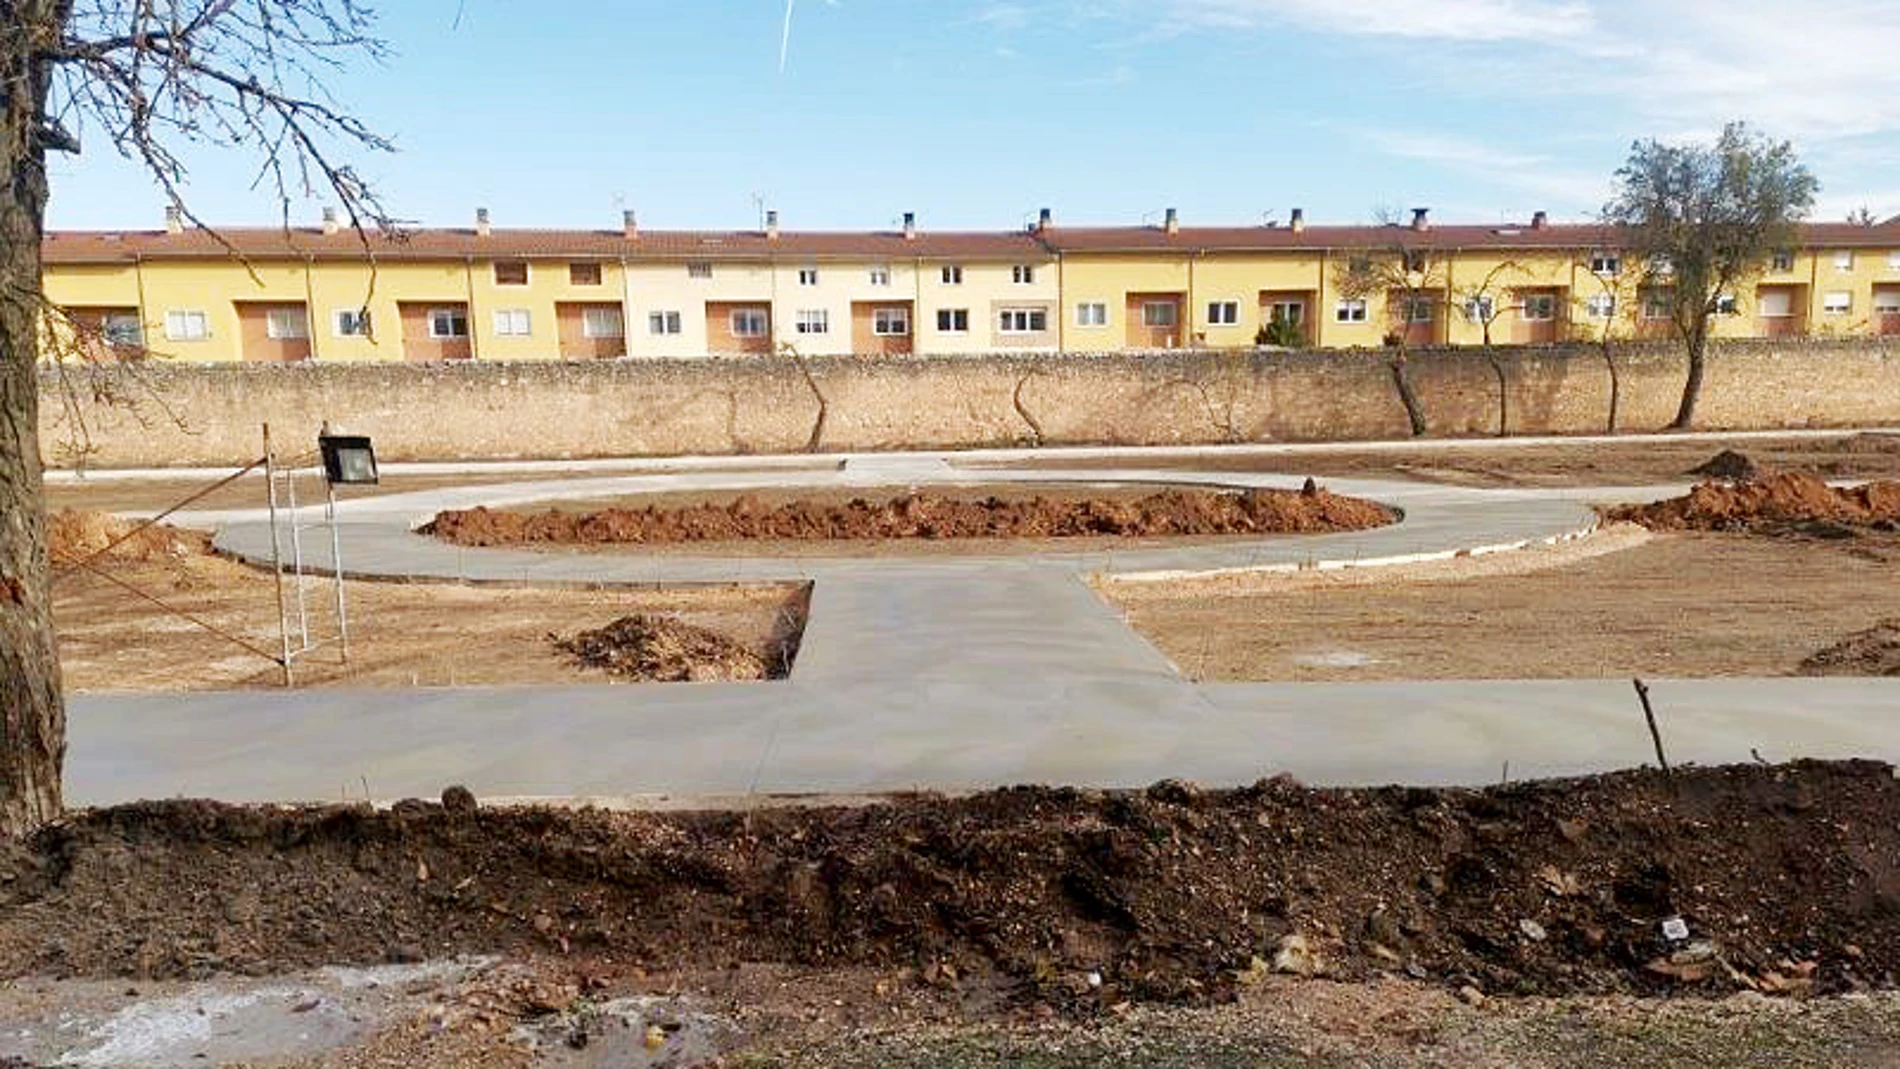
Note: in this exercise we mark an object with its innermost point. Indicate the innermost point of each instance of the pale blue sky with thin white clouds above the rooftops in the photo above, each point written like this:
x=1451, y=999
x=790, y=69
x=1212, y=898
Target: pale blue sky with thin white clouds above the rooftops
x=978, y=113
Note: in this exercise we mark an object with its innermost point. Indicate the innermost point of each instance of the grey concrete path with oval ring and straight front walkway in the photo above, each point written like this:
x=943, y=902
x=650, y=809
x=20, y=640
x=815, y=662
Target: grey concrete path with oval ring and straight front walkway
x=934, y=673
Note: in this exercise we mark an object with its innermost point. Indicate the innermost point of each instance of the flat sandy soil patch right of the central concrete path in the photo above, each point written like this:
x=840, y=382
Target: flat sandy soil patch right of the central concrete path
x=1682, y=605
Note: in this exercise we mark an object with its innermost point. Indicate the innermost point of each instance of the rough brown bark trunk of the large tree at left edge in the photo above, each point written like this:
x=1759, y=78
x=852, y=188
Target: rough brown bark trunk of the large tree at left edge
x=33, y=722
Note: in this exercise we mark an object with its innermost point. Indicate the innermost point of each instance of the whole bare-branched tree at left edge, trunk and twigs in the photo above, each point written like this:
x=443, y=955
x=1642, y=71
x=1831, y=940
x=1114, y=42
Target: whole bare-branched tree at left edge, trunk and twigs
x=145, y=79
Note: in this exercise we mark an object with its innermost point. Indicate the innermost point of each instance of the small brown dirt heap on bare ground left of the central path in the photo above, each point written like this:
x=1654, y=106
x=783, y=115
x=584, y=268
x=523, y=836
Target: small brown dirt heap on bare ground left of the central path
x=662, y=650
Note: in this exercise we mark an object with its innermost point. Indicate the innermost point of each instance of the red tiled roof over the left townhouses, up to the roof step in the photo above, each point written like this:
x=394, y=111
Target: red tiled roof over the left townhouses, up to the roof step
x=267, y=244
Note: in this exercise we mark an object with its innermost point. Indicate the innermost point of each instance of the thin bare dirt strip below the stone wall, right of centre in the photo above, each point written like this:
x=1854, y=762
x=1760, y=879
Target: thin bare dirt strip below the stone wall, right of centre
x=1587, y=464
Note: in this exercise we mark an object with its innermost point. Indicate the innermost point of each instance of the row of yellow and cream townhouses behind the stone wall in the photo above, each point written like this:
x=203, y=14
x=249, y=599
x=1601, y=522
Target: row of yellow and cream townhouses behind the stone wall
x=328, y=293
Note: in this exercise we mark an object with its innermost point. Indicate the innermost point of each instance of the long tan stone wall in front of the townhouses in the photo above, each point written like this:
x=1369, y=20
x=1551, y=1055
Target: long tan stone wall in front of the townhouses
x=883, y=403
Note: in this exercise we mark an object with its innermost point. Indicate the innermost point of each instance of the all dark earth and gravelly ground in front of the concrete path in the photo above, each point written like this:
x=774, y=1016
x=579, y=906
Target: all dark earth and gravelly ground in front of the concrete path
x=1270, y=926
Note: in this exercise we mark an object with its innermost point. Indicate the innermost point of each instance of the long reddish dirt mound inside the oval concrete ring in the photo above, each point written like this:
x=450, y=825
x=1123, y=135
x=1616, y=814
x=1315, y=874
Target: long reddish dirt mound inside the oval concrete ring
x=926, y=516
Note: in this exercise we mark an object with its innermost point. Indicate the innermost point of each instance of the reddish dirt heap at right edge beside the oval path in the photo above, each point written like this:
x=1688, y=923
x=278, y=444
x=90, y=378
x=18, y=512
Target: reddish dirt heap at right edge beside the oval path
x=1770, y=504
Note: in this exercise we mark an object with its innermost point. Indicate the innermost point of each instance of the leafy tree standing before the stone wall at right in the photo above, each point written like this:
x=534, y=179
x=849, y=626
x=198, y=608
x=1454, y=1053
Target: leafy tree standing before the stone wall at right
x=1700, y=221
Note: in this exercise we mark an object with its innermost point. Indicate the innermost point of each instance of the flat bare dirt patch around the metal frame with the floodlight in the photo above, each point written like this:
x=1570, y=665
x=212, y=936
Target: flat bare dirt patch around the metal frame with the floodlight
x=402, y=633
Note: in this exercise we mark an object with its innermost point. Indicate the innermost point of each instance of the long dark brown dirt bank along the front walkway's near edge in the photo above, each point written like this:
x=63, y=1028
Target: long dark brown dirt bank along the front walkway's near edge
x=1768, y=878
